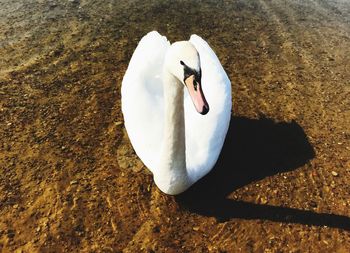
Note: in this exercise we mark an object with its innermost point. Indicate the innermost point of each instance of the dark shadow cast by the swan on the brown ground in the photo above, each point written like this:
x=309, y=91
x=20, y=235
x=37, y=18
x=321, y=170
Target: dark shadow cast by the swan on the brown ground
x=253, y=150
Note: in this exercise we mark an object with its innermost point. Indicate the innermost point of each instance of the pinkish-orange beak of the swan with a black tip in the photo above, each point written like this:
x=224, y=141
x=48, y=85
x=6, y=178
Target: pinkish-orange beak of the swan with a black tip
x=195, y=89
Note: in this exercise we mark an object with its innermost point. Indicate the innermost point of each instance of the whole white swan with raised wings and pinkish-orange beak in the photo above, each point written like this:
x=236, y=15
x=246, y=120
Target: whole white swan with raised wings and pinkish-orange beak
x=165, y=122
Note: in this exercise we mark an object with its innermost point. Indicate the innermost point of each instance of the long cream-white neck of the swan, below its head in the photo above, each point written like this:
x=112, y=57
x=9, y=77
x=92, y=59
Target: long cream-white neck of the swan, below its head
x=172, y=177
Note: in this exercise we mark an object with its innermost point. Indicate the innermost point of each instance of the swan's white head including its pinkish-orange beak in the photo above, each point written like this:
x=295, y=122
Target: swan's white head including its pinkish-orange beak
x=183, y=61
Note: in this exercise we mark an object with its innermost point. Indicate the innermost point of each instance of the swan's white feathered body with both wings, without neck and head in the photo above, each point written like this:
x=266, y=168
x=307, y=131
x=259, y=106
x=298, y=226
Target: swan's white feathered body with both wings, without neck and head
x=143, y=106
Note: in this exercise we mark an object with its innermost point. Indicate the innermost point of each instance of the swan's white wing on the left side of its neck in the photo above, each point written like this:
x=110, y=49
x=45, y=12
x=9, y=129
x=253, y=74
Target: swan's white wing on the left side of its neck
x=142, y=96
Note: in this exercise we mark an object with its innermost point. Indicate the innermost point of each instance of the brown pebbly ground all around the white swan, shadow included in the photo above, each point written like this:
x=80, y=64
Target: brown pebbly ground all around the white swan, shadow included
x=71, y=182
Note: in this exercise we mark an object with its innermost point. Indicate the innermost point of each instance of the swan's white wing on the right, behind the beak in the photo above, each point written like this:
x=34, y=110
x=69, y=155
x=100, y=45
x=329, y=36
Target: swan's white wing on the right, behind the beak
x=205, y=135
